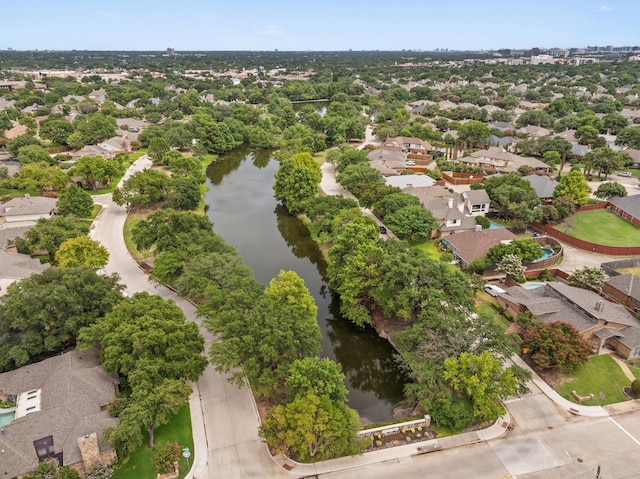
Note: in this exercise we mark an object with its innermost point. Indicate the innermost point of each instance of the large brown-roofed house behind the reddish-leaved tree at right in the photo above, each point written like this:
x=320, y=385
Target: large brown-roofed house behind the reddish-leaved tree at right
x=600, y=322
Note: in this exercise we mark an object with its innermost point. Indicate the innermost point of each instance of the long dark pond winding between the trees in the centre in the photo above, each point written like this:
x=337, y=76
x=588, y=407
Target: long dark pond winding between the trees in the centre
x=241, y=205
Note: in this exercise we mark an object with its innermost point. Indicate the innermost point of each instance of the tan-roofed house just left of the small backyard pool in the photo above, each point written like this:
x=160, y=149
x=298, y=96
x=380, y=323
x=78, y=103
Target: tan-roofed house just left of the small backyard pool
x=468, y=246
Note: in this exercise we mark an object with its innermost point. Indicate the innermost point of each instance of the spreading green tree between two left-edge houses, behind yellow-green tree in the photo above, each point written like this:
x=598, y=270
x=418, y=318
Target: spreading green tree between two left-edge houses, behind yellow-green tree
x=49, y=233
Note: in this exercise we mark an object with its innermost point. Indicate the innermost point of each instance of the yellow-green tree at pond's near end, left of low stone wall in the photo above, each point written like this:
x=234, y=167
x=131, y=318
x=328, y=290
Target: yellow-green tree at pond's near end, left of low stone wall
x=313, y=427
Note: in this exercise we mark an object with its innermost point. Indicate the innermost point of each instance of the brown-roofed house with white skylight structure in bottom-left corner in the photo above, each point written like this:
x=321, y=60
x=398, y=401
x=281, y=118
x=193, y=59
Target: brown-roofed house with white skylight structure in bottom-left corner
x=61, y=412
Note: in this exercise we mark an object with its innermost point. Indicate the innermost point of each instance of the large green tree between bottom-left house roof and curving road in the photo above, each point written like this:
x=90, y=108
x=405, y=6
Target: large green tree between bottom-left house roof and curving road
x=156, y=372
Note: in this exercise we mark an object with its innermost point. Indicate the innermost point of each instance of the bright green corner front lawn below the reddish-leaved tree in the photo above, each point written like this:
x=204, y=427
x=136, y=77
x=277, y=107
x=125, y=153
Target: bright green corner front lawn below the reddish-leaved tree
x=600, y=374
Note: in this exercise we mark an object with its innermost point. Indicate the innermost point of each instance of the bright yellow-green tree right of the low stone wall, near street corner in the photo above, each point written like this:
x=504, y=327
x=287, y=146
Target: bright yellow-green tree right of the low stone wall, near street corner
x=483, y=379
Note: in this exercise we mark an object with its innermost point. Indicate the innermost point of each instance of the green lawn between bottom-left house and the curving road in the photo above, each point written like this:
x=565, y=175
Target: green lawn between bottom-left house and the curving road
x=139, y=466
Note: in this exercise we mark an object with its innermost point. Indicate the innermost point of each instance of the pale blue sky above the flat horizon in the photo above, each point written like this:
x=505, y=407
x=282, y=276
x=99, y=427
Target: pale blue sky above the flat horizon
x=285, y=25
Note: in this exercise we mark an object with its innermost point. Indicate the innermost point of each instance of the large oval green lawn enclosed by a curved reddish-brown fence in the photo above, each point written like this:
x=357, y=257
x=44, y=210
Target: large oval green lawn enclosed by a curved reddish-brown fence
x=601, y=227
